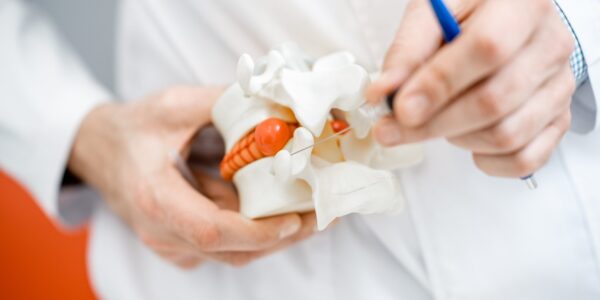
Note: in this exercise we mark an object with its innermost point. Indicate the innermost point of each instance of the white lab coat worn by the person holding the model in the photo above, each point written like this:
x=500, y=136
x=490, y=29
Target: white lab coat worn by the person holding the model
x=464, y=235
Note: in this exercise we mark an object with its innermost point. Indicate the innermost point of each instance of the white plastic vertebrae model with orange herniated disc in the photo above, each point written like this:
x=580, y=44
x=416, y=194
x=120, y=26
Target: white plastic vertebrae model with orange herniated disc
x=280, y=106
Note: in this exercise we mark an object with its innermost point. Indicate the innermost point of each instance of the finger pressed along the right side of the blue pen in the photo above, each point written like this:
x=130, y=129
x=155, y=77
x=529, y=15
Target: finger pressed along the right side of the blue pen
x=478, y=52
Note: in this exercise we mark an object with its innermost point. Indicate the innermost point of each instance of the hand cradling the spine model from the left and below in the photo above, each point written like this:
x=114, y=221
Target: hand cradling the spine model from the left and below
x=123, y=151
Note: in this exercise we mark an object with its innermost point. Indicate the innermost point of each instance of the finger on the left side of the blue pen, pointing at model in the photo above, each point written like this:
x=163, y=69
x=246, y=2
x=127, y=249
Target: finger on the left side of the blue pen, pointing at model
x=417, y=38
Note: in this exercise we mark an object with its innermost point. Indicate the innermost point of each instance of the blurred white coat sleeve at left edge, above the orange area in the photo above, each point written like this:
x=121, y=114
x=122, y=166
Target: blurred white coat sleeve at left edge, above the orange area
x=45, y=92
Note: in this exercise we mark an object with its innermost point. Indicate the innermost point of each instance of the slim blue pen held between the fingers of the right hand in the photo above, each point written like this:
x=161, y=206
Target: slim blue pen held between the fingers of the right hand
x=451, y=30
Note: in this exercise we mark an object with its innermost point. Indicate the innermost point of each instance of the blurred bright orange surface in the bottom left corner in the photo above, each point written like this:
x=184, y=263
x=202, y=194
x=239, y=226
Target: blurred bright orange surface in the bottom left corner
x=37, y=260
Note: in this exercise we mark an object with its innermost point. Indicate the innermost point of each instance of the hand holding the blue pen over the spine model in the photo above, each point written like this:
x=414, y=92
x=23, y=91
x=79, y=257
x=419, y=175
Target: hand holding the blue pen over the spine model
x=502, y=89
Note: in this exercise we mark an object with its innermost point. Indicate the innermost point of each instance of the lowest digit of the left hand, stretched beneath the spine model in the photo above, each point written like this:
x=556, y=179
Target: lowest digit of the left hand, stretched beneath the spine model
x=199, y=221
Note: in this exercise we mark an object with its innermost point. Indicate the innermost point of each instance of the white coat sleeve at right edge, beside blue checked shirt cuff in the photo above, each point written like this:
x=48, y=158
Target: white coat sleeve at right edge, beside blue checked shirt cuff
x=584, y=18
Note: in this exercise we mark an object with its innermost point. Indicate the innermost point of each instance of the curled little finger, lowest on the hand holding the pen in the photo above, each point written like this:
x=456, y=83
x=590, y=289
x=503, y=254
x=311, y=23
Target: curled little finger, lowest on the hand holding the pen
x=519, y=128
